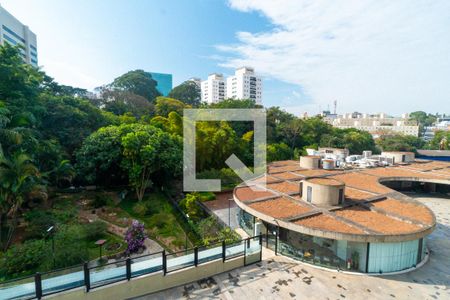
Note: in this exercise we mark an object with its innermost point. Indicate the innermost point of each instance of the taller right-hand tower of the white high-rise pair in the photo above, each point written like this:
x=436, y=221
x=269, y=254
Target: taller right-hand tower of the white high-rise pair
x=245, y=84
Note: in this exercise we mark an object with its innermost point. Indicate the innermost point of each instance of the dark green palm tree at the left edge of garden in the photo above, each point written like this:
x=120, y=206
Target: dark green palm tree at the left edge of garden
x=18, y=177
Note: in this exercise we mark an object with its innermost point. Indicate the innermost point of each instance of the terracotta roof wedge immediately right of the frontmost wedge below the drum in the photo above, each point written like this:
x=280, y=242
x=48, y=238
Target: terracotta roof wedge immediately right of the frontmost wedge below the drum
x=376, y=221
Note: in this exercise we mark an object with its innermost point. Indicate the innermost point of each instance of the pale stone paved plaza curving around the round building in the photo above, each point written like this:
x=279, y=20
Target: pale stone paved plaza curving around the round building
x=278, y=277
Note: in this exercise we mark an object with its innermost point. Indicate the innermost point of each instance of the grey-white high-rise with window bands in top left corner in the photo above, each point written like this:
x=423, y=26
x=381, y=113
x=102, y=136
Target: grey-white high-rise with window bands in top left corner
x=13, y=32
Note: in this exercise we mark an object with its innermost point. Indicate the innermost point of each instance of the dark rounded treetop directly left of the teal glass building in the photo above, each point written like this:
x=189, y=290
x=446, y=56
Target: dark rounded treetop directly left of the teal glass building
x=137, y=82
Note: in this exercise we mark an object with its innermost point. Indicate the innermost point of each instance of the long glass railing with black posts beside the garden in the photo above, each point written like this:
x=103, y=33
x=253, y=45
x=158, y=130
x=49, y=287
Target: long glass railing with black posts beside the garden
x=39, y=285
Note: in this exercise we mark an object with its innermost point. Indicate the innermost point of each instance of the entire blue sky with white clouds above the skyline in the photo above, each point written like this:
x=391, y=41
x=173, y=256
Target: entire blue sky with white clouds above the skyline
x=368, y=55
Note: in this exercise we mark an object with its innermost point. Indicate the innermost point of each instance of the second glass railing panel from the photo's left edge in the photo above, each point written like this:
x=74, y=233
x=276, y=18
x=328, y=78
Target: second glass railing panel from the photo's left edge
x=62, y=280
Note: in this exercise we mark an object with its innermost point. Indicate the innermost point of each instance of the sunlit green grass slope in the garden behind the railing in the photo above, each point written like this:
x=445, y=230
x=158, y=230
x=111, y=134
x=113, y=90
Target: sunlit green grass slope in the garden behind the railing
x=161, y=220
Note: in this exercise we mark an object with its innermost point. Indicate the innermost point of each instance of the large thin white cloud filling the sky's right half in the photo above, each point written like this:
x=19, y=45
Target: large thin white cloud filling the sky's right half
x=371, y=56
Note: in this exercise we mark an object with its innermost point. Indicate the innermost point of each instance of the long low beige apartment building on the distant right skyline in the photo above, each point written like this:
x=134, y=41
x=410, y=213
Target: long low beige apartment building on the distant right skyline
x=376, y=124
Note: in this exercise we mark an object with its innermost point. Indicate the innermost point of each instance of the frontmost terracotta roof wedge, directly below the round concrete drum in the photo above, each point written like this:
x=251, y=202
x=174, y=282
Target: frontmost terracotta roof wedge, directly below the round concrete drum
x=326, y=222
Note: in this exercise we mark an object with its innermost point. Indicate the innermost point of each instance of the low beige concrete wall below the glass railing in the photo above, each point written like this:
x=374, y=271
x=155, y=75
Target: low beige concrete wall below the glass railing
x=156, y=282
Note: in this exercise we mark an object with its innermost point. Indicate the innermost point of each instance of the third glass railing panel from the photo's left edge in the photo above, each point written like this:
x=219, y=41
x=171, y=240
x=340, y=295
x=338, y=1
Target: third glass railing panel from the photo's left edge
x=108, y=274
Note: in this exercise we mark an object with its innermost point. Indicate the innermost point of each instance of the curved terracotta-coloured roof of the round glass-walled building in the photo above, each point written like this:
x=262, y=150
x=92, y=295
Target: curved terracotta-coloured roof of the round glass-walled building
x=371, y=211
